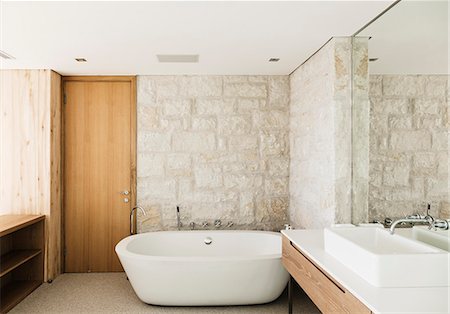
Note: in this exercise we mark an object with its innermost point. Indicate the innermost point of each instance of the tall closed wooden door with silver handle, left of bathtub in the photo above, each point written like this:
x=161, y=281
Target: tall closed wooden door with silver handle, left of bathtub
x=99, y=166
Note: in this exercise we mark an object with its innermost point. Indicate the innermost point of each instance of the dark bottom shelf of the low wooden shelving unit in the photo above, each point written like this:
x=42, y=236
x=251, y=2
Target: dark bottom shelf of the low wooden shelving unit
x=16, y=291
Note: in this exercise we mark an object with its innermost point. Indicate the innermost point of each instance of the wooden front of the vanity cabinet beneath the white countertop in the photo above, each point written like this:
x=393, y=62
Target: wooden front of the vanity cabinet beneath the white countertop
x=322, y=289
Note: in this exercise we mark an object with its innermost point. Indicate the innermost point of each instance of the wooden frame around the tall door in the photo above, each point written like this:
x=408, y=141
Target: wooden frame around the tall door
x=133, y=143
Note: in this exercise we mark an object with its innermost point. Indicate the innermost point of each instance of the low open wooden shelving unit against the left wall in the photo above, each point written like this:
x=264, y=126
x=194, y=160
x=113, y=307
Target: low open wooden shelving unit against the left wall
x=21, y=257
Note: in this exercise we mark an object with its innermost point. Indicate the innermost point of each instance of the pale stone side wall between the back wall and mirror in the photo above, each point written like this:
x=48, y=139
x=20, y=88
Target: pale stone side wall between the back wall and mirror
x=320, y=138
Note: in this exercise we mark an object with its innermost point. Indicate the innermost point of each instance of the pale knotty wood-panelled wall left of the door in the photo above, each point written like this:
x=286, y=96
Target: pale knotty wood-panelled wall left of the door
x=30, y=152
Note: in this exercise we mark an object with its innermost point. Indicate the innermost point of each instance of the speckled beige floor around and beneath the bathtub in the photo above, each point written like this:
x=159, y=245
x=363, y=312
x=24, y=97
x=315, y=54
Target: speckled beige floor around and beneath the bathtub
x=112, y=293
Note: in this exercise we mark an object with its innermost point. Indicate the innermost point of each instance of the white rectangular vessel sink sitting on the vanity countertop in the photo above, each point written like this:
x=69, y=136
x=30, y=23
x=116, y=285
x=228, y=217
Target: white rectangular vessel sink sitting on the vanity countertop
x=386, y=260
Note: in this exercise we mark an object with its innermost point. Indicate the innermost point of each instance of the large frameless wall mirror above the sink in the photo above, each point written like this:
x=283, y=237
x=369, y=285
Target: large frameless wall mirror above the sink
x=401, y=113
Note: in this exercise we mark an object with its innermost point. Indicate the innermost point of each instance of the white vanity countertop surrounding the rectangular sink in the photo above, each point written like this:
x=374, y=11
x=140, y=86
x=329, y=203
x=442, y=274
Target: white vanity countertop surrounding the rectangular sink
x=378, y=300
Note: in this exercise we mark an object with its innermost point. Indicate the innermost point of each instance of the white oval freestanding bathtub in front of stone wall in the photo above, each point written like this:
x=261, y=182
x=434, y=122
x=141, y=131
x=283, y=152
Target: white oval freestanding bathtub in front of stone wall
x=180, y=268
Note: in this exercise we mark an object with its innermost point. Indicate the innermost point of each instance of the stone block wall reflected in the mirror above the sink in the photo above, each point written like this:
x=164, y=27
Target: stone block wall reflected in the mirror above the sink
x=409, y=127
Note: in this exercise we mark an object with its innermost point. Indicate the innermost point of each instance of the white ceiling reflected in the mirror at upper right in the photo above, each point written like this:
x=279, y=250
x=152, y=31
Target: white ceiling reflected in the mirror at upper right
x=411, y=38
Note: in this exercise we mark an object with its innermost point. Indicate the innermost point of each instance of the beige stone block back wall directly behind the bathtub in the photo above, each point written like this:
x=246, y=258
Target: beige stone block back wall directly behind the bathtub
x=215, y=145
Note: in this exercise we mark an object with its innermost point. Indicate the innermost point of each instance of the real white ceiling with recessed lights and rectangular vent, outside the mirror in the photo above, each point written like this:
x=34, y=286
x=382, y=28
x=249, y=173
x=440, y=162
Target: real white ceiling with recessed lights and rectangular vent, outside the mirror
x=125, y=37
